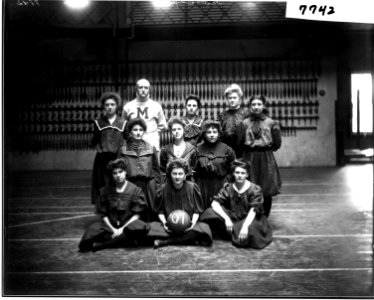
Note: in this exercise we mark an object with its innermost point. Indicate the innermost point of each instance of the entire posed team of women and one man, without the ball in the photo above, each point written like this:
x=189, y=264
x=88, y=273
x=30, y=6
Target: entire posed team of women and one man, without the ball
x=222, y=173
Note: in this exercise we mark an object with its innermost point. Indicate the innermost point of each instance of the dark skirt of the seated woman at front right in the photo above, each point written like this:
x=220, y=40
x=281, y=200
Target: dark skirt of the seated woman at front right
x=260, y=233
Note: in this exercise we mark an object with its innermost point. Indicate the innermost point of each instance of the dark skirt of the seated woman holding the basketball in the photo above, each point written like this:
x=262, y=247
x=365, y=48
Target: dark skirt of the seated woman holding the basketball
x=201, y=234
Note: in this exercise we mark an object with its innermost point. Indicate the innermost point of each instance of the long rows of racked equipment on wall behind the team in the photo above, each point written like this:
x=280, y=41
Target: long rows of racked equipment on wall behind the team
x=62, y=118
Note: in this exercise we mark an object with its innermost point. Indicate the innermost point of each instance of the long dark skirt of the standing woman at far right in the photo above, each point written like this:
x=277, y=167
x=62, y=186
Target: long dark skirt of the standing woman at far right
x=264, y=171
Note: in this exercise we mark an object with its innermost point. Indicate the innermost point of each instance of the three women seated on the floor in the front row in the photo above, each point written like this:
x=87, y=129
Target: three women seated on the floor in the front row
x=236, y=212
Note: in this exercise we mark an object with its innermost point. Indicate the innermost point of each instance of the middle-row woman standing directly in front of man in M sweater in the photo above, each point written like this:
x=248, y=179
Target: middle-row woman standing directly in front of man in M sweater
x=142, y=164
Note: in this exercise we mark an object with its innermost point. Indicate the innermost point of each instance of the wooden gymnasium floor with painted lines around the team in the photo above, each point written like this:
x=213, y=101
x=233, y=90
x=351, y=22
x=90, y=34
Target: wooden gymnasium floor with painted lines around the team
x=323, y=227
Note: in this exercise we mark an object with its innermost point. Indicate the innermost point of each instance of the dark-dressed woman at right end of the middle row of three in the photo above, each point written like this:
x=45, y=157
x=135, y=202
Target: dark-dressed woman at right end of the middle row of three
x=214, y=162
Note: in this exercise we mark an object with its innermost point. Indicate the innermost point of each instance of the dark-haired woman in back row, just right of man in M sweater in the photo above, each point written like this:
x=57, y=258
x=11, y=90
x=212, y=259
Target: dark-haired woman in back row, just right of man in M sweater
x=194, y=122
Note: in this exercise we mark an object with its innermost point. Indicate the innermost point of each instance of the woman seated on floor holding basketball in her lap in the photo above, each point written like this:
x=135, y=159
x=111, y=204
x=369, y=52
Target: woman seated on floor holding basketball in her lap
x=178, y=194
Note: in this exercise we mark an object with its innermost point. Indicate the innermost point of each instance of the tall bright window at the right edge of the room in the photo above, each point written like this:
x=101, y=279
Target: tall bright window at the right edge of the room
x=362, y=94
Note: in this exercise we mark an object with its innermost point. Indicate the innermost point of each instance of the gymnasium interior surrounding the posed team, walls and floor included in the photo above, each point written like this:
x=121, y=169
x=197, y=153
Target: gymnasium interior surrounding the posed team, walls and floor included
x=317, y=79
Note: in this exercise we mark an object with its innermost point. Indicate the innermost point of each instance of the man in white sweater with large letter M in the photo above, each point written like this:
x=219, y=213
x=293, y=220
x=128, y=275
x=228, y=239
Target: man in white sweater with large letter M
x=147, y=109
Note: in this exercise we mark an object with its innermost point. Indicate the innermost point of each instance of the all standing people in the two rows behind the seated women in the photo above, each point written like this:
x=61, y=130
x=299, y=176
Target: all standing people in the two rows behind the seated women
x=209, y=147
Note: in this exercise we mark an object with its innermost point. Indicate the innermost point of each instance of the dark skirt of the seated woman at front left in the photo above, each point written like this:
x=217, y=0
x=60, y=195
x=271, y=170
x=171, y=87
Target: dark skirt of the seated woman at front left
x=101, y=233
